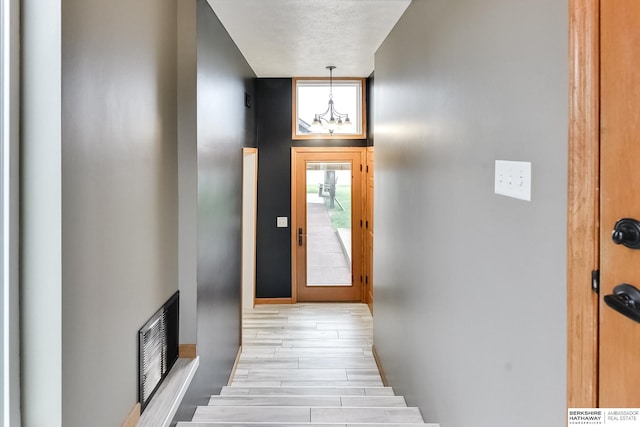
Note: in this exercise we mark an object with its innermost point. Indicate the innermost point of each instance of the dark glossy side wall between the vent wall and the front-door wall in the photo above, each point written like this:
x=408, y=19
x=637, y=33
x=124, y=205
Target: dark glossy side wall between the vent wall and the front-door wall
x=224, y=126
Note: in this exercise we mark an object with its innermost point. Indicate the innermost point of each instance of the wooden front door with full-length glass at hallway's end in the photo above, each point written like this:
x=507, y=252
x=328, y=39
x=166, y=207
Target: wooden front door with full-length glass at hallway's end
x=327, y=235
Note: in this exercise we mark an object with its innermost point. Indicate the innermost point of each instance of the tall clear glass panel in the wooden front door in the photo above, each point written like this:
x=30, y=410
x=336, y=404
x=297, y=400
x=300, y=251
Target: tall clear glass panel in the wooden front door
x=328, y=224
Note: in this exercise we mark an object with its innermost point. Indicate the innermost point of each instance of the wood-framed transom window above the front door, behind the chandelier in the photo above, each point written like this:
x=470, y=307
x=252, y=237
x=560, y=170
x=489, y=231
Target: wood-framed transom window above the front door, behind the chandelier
x=324, y=109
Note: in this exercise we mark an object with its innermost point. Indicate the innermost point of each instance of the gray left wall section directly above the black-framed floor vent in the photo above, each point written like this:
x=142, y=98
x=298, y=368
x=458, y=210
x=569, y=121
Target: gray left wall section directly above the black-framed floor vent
x=119, y=197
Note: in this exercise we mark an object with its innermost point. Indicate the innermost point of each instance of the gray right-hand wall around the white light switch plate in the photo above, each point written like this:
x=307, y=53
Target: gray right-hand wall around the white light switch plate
x=469, y=311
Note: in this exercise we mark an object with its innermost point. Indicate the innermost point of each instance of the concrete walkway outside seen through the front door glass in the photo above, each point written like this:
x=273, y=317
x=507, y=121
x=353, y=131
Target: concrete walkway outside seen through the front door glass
x=327, y=263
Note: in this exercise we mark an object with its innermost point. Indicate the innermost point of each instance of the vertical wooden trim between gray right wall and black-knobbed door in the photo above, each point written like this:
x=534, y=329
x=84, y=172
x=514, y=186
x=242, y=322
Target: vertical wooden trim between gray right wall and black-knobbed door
x=583, y=203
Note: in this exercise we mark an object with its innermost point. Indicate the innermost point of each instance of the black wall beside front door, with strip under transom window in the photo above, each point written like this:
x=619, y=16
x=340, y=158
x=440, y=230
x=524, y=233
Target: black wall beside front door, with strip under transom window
x=273, y=245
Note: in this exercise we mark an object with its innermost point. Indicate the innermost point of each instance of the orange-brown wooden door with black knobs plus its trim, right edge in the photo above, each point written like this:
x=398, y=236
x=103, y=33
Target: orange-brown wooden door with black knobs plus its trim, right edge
x=603, y=357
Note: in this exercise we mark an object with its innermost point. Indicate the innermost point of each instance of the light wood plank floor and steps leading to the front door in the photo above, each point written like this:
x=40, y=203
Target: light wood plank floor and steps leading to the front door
x=307, y=364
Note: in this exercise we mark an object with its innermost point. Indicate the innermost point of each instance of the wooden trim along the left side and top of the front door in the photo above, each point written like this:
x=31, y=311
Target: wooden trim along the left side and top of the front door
x=295, y=154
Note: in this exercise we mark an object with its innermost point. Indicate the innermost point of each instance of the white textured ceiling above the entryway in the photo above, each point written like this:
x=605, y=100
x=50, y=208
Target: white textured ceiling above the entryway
x=299, y=38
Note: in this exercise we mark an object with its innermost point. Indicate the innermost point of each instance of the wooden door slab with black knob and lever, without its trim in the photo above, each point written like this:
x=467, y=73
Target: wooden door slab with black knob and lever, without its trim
x=619, y=343
